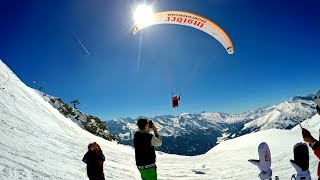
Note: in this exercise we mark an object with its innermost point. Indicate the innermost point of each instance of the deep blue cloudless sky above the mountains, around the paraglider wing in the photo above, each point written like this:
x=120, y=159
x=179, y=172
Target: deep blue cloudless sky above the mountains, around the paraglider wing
x=276, y=54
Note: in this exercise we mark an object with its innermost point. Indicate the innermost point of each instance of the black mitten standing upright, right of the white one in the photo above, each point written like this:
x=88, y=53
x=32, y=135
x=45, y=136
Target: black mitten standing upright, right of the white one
x=301, y=161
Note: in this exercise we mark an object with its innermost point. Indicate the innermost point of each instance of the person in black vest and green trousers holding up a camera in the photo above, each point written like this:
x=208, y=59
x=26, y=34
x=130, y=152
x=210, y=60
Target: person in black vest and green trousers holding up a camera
x=144, y=145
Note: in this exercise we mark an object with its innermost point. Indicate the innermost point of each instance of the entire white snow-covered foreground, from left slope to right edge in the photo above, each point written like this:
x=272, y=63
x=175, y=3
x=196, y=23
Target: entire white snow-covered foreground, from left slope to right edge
x=37, y=142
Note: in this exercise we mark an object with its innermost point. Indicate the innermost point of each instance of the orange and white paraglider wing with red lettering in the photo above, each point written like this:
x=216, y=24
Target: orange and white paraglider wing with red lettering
x=187, y=19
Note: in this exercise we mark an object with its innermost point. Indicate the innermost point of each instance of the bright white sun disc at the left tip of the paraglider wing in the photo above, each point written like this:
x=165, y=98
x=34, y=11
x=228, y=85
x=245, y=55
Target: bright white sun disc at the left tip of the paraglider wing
x=142, y=15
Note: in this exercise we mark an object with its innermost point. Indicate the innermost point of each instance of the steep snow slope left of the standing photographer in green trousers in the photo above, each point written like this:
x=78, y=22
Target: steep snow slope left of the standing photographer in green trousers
x=37, y=142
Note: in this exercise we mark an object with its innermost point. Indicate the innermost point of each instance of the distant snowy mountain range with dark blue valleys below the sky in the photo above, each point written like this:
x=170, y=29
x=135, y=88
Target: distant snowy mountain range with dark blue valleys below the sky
x=194, y=134
